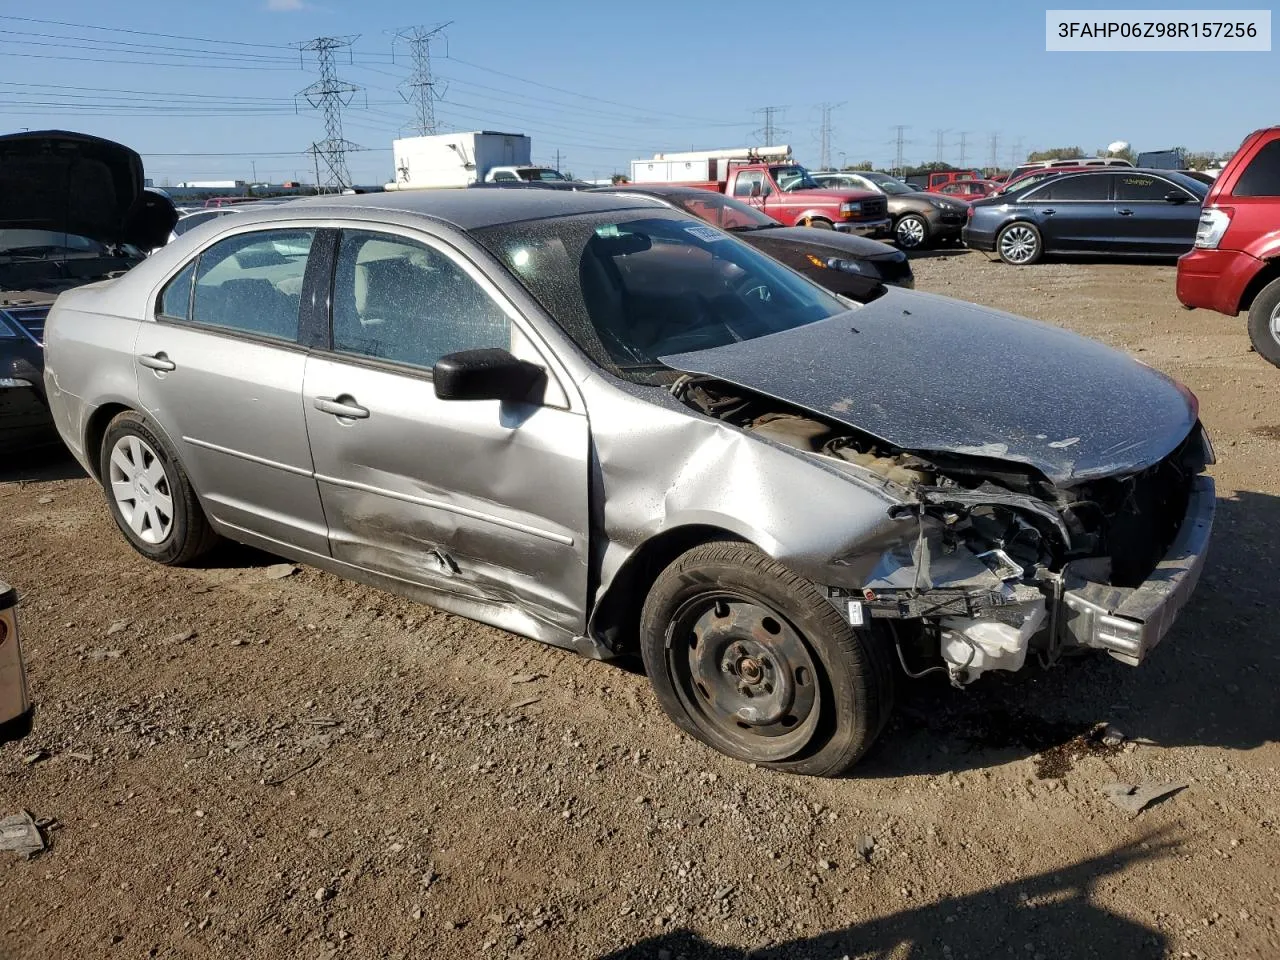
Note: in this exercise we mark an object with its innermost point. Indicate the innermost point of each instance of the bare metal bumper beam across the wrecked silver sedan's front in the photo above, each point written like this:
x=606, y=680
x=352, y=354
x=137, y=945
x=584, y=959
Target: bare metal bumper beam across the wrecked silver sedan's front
x=1130, y=623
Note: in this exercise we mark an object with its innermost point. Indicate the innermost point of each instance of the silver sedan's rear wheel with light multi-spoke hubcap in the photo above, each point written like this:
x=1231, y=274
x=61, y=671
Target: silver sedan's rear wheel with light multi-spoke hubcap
x=149, y=493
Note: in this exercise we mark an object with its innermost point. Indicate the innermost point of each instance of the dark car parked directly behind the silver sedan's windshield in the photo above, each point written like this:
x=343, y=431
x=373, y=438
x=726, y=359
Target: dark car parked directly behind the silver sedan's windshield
x=852, y=267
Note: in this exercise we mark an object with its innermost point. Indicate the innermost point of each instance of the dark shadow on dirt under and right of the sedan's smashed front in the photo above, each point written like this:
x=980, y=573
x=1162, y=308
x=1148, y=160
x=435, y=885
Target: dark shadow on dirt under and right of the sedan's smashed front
x=1212, y=683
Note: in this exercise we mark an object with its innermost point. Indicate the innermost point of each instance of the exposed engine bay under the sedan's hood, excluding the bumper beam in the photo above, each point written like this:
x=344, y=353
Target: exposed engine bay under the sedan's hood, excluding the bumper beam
x=977, y=582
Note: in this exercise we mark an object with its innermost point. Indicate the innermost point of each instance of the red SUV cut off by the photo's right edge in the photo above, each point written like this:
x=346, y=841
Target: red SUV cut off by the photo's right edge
x=1236, y=262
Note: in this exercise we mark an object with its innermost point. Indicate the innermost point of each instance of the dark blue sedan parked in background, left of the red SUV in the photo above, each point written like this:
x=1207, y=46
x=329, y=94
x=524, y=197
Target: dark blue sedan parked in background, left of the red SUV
x=1117, y=212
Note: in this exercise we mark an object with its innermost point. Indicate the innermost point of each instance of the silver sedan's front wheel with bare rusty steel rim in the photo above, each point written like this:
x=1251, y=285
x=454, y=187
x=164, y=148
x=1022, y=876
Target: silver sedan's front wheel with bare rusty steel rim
x=752, y=660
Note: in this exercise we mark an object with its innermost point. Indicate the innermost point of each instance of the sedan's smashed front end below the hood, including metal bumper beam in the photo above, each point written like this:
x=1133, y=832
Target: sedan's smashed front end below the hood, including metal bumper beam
x=989, y=575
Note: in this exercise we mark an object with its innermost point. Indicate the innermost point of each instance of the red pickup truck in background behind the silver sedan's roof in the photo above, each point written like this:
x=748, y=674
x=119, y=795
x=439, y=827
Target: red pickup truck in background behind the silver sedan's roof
x=787, y=193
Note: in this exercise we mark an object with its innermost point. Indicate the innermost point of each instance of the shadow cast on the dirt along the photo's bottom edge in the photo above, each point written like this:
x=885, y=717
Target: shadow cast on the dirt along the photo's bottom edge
x=1050, y=915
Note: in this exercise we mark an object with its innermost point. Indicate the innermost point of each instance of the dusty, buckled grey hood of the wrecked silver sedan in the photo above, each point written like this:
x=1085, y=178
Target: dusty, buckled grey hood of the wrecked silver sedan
x=931, y=374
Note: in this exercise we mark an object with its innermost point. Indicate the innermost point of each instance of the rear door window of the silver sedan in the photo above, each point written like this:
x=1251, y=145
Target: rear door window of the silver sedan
x=254, y=284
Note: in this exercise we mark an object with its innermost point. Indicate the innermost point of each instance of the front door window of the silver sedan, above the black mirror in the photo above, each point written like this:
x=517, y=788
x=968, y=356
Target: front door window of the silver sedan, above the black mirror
x=400, y=300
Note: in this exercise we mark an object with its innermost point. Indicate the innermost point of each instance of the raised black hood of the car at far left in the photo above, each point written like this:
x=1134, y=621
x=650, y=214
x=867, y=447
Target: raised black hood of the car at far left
x=81, y=185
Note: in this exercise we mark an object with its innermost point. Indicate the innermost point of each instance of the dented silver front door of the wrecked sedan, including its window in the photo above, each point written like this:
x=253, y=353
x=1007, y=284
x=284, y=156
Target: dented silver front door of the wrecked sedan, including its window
x=479, y=499
